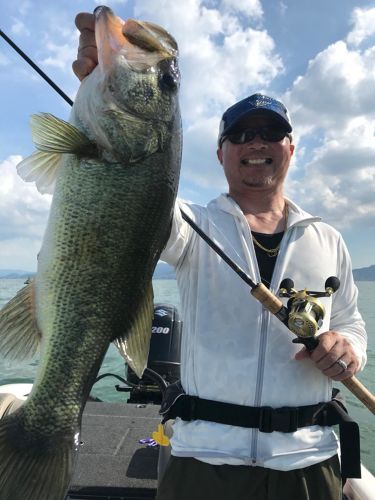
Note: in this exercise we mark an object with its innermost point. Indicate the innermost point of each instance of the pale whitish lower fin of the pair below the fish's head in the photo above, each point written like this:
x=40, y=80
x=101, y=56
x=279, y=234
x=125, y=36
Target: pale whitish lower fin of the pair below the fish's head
x=41, y=168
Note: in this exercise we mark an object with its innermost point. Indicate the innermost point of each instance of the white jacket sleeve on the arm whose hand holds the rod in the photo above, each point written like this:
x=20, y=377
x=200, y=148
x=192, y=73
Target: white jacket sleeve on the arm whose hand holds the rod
x=345, y=317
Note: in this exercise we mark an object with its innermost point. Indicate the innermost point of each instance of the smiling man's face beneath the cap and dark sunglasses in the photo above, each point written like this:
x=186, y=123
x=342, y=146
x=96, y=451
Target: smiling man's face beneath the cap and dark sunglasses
x=257, y=164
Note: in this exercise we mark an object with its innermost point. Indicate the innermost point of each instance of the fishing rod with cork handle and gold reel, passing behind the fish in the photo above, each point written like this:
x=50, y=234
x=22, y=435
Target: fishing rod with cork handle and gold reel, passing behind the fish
x=303, y=313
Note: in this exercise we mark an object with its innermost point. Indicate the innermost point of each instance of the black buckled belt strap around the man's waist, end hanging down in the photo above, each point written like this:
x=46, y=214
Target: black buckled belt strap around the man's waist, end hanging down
x=268, y=419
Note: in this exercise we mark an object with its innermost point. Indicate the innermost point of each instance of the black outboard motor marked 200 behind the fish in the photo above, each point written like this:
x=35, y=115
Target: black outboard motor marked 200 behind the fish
x=163, y=367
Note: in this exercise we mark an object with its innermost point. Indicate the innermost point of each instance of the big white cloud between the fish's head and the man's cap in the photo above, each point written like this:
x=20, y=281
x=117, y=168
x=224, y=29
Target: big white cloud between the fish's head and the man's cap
x=220, y=58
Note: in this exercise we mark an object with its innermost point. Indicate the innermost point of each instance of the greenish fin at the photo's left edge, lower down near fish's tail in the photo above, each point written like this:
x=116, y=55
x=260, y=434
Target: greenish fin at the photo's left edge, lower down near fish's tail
x=19, y=334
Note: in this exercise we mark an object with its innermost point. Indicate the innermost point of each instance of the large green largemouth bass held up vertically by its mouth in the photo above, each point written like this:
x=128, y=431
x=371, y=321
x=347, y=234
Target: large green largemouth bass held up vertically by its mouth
x=114, y=172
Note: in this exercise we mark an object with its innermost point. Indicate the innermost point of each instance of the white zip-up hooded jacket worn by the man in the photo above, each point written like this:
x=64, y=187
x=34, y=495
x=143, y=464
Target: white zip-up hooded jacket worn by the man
x=234, y=350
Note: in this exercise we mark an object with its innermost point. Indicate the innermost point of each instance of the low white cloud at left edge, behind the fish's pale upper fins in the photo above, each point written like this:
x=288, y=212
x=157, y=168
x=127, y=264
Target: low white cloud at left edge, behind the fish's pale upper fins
x=23, y=215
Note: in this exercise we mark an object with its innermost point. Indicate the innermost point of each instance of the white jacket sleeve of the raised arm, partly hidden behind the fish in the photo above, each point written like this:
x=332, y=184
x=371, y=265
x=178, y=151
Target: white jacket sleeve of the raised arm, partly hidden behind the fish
x=180, y=235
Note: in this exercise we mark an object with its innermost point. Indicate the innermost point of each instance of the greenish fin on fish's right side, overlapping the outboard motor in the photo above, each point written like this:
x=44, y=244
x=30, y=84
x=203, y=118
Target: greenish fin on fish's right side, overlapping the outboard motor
x=134, y=346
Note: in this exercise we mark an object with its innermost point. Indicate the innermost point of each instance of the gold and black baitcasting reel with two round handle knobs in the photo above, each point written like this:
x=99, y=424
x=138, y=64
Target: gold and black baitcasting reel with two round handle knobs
x=305, y=312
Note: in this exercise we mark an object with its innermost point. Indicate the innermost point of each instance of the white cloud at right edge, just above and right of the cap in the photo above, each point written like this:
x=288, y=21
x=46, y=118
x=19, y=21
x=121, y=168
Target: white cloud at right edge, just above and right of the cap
x=336, y=87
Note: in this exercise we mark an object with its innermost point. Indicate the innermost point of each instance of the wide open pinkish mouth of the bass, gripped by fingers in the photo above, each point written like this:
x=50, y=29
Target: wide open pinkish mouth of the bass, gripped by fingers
x=132, y=36
